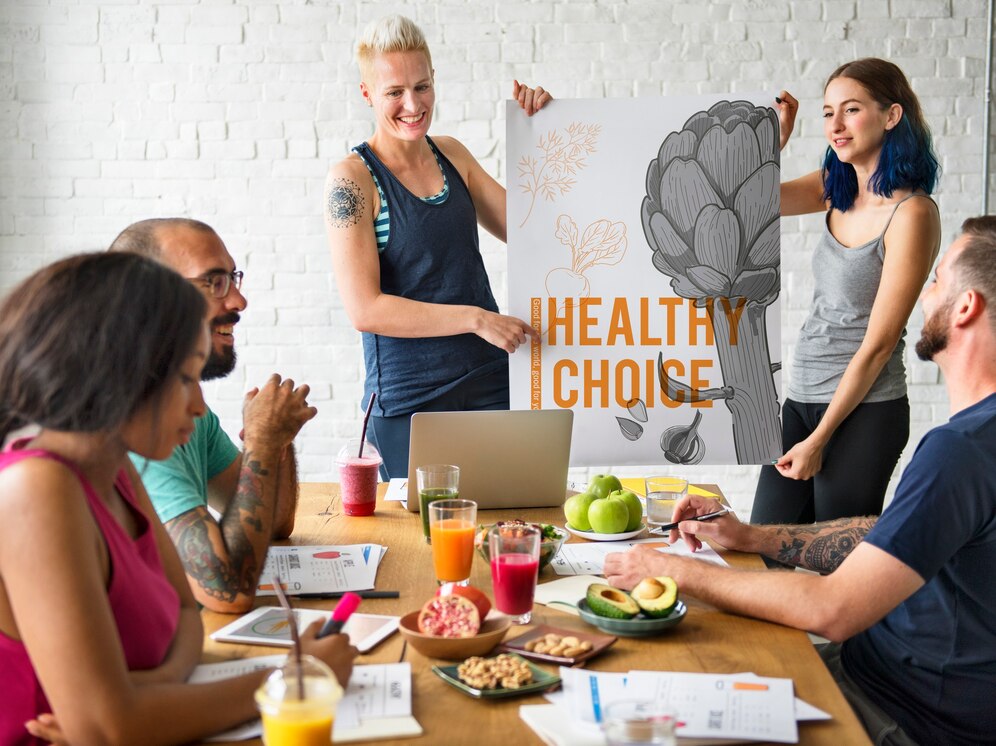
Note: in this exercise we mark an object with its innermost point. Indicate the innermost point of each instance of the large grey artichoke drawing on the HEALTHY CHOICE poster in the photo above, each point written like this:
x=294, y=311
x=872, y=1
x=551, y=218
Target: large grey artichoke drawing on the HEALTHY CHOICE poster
x=711, y=218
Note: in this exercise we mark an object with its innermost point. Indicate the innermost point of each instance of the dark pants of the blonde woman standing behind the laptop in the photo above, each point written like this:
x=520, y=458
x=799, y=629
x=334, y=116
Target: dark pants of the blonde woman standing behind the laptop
x=392, y=435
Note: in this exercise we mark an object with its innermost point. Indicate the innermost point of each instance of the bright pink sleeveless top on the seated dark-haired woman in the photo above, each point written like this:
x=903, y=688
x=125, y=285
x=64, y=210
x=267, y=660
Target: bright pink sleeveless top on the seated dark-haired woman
x=145, y=605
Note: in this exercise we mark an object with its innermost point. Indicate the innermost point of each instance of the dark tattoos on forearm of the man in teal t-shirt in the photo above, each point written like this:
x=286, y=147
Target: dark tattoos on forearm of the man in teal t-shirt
x=224, y=573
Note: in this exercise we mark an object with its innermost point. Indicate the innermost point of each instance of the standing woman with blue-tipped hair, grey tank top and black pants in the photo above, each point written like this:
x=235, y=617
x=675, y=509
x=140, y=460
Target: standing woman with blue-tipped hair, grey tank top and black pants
x=845, y=420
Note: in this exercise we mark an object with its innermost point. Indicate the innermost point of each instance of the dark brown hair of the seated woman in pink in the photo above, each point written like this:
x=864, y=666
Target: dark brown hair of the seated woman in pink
x=86, y=341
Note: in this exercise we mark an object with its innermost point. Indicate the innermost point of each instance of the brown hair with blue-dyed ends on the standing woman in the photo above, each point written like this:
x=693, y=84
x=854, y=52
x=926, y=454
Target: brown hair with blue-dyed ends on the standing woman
x=907, y=159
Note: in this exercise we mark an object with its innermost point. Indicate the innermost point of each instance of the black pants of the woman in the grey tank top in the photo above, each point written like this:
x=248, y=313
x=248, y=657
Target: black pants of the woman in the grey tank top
x=857, y=464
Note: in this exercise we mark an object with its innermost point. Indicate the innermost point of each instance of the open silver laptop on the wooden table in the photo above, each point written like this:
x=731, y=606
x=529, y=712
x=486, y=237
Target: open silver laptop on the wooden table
x=507, y=459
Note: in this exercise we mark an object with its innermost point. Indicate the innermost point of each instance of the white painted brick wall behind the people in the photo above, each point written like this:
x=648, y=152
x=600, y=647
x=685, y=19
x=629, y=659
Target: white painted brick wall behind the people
x=231, y=113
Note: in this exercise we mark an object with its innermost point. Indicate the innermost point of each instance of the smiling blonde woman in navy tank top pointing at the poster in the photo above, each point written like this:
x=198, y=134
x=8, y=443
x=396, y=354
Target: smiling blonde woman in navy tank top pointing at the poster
x=402, y=213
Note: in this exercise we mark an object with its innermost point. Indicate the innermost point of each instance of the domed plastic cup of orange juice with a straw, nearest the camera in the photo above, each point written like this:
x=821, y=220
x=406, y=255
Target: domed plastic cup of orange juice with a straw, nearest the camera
x=290, y=719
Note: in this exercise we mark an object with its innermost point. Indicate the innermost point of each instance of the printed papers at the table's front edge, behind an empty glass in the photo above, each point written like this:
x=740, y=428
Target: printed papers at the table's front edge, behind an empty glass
x=737, y=707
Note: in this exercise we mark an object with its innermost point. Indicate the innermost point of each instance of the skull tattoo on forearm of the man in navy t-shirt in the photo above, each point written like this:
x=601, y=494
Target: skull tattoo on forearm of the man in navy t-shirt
x=821, y=547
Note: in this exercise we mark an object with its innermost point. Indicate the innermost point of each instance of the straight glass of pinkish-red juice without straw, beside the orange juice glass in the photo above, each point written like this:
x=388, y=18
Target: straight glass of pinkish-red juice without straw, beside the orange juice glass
x=514, y=569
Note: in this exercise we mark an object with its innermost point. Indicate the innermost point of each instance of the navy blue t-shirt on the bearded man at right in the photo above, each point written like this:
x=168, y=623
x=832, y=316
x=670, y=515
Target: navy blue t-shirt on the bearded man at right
x=931, y=662
